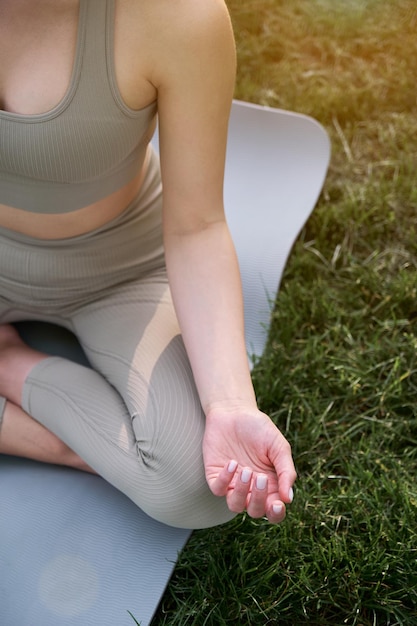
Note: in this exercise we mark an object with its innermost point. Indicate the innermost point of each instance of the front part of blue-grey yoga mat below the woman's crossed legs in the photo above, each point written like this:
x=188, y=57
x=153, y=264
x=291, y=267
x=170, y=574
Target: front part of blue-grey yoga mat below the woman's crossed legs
x=76, y=552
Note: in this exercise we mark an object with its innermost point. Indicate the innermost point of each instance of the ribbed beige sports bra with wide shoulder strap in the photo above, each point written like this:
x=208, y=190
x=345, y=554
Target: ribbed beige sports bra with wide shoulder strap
x=89, y=145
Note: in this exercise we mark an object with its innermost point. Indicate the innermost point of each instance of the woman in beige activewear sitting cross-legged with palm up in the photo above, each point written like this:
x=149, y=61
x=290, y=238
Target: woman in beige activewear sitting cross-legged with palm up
x=88, y=241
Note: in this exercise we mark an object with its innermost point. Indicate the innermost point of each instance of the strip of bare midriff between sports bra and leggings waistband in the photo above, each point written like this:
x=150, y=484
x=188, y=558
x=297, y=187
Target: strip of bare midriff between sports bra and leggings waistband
x=74, y=223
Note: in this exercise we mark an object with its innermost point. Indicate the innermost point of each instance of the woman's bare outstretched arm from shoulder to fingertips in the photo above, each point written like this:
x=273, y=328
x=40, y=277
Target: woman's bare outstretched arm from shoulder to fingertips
x=194, y=76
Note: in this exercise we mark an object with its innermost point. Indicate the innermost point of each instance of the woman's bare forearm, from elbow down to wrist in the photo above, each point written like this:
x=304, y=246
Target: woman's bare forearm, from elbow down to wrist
x=206, y=289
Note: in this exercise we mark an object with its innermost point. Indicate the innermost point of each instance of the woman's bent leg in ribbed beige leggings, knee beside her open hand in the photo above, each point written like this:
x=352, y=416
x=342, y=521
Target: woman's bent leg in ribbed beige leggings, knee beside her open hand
x=136, y=419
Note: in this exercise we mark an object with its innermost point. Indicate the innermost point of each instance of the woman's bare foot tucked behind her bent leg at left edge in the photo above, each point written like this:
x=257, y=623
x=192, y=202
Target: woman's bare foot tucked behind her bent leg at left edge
x=16, y=361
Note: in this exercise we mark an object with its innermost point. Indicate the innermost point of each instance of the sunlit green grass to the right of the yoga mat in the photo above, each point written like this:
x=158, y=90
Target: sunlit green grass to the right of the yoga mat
x=339, y=375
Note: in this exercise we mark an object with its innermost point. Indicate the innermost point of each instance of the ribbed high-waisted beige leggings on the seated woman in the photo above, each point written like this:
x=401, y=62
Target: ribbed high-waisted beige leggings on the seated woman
x=134, y=416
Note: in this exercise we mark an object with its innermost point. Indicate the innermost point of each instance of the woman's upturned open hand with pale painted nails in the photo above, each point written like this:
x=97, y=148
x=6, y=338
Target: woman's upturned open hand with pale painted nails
x=249, y=461
